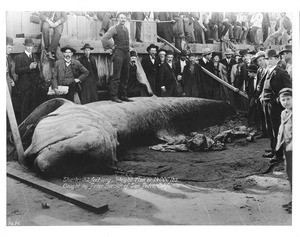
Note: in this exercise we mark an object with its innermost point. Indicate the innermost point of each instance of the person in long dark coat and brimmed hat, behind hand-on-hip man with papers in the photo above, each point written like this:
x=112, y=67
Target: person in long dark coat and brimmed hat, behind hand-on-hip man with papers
x=89, y=91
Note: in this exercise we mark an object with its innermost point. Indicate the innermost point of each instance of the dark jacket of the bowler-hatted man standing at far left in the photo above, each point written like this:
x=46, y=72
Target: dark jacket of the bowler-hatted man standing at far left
x=27, y=78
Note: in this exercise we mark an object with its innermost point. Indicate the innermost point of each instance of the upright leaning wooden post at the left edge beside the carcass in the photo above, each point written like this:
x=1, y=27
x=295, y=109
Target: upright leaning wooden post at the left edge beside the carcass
x=14, y=128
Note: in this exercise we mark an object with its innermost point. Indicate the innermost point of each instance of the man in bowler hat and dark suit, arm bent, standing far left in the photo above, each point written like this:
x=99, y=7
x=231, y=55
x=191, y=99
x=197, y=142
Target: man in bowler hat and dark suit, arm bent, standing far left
x=28, y=79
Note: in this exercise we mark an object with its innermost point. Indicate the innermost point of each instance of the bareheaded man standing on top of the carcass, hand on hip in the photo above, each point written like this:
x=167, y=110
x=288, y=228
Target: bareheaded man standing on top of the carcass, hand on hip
x=120, y=48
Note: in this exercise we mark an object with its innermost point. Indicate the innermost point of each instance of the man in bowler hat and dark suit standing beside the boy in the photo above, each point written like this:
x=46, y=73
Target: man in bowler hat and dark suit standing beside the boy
x=276, y=80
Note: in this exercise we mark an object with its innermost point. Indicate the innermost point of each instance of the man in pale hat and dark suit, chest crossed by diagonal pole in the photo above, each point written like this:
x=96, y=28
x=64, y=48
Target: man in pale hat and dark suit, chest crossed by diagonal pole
x=206, y=84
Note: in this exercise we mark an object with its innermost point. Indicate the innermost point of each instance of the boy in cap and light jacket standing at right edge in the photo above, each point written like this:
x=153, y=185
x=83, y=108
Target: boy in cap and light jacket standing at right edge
x=285, y=135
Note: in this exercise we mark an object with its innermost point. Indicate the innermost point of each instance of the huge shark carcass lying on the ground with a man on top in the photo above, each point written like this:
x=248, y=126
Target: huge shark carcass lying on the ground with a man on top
x=73, y=139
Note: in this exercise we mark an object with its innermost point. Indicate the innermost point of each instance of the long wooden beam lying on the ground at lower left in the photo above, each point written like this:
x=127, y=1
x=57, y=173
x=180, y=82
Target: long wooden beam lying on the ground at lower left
x=55, y=190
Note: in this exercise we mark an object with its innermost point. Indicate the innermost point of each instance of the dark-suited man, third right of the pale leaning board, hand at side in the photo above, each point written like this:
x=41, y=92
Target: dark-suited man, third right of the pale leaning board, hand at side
x=167, y=76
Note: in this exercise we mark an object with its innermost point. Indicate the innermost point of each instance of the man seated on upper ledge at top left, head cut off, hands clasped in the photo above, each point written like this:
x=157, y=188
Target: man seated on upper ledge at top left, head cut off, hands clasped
x=54, y=20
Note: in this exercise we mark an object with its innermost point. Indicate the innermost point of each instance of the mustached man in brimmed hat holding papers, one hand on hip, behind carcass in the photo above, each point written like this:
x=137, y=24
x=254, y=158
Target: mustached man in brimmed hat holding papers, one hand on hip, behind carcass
x=68, y=72
